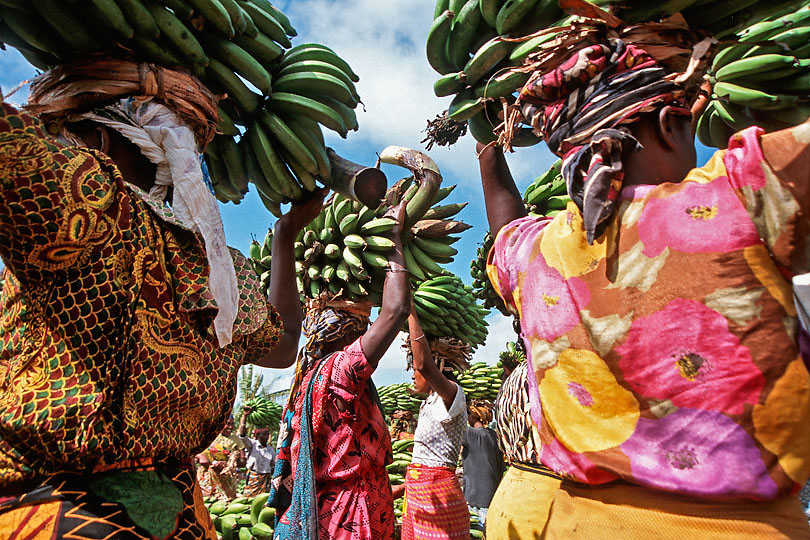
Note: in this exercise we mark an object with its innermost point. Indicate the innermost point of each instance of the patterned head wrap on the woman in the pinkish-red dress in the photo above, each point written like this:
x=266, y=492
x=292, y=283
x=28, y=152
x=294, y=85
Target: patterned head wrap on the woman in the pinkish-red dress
x=324, y=323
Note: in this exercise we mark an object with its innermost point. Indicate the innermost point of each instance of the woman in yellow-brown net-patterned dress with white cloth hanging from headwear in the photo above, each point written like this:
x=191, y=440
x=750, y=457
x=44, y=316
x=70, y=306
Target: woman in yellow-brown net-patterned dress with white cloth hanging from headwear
x=125, y=315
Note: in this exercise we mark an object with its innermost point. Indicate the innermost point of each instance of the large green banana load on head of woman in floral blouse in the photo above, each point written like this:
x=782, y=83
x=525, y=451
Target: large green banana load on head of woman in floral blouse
x=482, y=49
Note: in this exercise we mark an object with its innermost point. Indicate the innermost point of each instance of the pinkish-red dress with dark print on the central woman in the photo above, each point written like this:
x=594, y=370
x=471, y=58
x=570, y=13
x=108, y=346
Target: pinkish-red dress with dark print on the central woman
x=351, y=450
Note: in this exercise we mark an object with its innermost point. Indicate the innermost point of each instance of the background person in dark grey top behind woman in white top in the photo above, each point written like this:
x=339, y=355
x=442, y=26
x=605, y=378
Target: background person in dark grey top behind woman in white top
x=482, y=460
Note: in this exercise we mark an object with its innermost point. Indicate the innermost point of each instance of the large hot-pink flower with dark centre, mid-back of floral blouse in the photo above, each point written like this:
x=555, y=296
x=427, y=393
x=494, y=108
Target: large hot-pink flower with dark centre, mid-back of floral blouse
x=686, y=354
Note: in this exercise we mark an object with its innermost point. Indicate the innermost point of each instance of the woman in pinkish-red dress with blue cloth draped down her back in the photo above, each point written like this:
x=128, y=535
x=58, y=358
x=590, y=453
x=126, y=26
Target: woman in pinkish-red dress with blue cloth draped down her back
x=330, y=479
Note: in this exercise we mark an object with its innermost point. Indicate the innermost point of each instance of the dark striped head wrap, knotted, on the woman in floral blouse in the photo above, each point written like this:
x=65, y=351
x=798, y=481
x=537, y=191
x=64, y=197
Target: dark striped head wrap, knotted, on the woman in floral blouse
x=582, y=107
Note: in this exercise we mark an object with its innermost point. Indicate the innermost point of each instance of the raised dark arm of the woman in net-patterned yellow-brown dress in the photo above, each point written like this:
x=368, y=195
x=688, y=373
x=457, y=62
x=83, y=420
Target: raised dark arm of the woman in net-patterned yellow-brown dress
x=283, y=289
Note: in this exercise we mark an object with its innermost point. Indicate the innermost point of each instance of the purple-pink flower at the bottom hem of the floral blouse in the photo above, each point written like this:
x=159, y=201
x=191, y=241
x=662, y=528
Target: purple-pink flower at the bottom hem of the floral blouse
x=699, y=453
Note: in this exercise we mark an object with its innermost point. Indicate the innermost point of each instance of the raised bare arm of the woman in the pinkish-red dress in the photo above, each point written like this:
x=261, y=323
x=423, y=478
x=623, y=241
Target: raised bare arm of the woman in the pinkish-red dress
x=396, y=297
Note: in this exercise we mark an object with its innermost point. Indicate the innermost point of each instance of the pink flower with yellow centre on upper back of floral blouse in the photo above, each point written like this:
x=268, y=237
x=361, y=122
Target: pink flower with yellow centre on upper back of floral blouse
x=695, y=218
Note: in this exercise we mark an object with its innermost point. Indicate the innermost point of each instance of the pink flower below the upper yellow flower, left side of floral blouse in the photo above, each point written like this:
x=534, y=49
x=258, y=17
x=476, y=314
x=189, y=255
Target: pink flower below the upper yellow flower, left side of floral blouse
x=551, y=304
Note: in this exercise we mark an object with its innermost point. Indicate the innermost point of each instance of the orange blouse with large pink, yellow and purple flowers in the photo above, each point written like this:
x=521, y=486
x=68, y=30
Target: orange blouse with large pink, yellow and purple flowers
x=665, y=354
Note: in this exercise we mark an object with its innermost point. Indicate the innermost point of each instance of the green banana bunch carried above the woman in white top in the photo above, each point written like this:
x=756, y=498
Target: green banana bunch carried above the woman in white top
x=446, y=307
